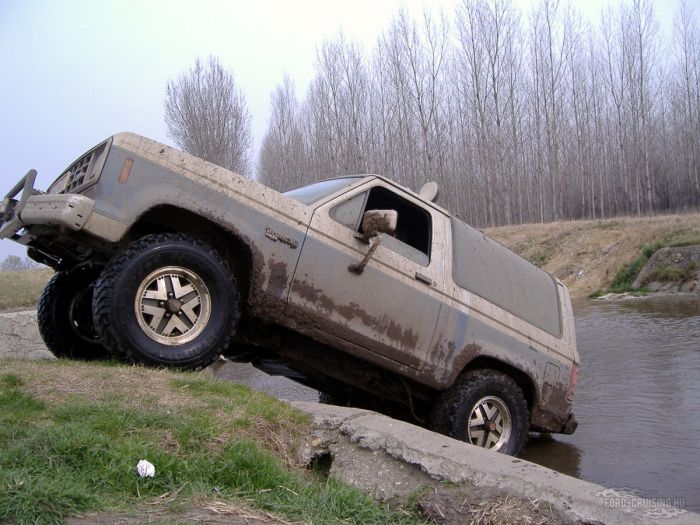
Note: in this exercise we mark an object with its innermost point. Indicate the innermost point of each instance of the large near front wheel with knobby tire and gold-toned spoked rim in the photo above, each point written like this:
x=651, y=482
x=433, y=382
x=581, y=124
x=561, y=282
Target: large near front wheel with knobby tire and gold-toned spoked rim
x=122, y=326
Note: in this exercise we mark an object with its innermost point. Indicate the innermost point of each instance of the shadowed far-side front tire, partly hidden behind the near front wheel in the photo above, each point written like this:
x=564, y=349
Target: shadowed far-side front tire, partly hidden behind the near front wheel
x=64, y=316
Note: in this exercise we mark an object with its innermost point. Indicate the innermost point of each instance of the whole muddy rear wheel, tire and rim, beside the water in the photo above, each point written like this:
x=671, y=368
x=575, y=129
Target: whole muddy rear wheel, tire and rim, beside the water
x=486, y=408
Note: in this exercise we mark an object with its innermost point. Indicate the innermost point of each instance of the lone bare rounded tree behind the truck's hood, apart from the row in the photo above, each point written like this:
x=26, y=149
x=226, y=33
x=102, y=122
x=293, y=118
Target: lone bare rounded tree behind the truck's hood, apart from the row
x=207, y=116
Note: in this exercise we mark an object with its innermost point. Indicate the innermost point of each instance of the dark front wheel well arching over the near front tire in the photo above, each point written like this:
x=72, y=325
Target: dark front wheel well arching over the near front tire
x=177, y=220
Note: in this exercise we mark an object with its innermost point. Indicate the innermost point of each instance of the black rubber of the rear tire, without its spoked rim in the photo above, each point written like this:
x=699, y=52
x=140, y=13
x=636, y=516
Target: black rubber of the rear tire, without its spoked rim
x=451, y=414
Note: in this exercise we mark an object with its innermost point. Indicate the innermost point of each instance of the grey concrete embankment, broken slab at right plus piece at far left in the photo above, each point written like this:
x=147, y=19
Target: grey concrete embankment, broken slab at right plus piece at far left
x=393, y=459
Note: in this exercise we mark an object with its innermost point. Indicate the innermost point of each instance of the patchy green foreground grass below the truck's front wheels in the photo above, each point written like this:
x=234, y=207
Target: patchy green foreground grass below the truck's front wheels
x=72, y=433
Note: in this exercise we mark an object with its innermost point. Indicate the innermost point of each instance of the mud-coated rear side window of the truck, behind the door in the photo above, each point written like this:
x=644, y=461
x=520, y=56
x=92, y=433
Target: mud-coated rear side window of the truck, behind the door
x=493, y=272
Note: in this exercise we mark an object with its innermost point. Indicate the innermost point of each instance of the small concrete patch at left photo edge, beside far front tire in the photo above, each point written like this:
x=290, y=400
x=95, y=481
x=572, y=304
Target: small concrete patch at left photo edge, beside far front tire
x=20, y=338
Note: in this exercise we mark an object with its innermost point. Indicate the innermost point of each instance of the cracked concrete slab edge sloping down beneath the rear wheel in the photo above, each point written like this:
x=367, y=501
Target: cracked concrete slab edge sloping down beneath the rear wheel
x=447, y=459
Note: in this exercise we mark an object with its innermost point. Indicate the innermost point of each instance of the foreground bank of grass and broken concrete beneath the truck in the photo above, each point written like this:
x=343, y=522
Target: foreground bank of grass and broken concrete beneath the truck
x=71, y=434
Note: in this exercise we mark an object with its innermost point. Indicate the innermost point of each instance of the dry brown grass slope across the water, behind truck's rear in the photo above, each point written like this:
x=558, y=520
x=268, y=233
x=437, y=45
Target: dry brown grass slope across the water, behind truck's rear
x=598, y=248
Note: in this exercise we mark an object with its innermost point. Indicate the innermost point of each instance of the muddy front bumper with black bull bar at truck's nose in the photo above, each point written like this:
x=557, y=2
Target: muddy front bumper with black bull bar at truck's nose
x=69, y=211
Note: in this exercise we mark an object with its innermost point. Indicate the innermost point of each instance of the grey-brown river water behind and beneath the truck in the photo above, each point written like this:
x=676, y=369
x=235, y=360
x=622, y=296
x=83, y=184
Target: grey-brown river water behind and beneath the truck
x=637, y=402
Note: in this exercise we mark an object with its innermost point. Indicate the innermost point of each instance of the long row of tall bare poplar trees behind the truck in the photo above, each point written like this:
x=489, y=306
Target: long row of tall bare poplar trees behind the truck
x=520, y=116
